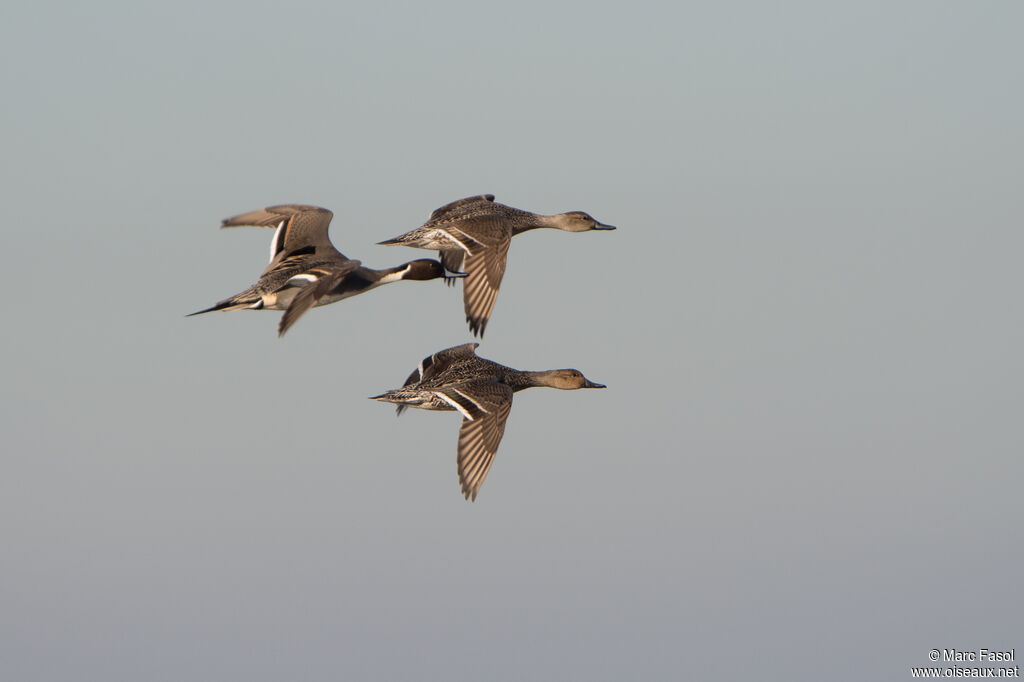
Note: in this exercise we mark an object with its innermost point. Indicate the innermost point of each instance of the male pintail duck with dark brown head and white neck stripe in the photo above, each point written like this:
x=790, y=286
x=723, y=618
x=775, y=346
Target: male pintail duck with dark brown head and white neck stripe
x=306, y=270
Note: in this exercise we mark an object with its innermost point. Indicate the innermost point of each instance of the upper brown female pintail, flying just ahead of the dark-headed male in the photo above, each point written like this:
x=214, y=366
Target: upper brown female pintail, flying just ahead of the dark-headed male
x=474, y=235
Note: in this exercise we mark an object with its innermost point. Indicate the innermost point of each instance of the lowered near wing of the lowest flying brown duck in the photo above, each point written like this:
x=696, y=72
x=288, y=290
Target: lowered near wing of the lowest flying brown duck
x=489, y=404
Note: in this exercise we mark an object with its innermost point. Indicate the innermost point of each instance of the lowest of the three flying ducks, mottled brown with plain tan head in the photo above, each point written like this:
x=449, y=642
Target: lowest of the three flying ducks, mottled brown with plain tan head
x=482, y=392
